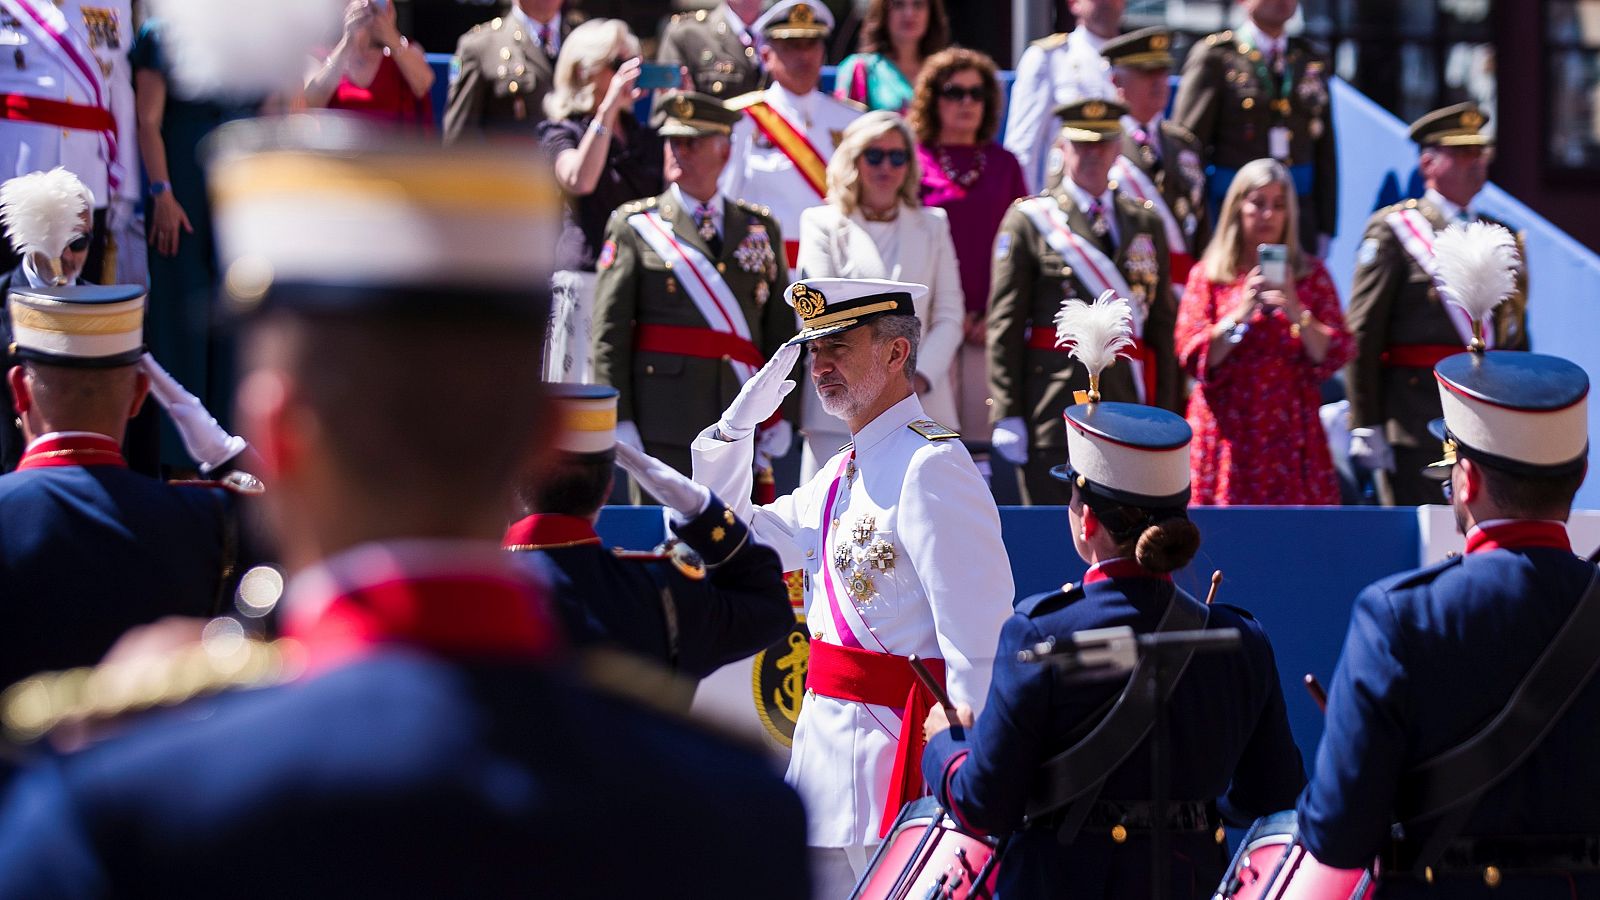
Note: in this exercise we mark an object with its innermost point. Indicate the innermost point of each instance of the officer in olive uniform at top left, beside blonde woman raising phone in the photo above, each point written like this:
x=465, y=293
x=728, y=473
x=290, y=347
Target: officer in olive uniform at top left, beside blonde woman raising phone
x=503, y=70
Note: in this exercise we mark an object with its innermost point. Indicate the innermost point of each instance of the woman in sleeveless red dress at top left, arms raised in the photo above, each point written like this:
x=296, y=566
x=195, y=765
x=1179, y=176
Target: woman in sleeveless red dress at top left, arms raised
x=375, y=71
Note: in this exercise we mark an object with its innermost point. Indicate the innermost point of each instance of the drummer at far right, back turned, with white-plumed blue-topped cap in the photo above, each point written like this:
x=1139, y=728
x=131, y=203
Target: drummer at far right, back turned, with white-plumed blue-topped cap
x=1495, y=787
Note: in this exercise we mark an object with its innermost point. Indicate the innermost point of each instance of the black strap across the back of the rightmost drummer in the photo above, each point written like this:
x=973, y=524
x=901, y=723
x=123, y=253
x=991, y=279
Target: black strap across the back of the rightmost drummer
x=1452, y=784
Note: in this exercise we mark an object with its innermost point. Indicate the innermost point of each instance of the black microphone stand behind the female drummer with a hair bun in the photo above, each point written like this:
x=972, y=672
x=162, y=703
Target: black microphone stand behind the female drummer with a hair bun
x=1105, y=654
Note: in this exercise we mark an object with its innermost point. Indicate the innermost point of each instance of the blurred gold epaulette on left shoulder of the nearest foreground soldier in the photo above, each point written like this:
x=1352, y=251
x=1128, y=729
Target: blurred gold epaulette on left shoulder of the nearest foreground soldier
x=38, y=705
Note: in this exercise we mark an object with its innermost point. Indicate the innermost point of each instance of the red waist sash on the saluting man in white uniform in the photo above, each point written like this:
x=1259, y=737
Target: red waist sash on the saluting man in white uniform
x=881, y=680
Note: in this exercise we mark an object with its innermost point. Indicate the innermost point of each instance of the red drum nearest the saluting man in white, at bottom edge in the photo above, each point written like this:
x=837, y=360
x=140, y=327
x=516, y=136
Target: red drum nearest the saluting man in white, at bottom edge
x=927, y=854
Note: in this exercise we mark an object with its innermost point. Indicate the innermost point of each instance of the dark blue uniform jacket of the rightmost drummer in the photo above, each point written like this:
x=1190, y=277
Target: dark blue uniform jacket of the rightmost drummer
x=1431, y=657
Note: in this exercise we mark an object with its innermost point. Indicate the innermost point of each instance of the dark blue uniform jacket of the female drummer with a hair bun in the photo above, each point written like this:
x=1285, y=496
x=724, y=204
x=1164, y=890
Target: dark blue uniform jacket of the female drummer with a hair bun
x=1230, y=737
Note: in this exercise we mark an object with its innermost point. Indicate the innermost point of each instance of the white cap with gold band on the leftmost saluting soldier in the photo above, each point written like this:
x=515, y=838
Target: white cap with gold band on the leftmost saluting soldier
x=79, y=326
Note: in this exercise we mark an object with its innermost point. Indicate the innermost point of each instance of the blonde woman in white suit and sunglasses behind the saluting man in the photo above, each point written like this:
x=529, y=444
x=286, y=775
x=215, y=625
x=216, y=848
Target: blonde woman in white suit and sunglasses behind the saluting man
x=874, y=227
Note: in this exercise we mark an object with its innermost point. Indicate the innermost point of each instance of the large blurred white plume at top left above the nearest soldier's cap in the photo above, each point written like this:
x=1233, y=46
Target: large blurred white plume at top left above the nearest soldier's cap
x=244, y=49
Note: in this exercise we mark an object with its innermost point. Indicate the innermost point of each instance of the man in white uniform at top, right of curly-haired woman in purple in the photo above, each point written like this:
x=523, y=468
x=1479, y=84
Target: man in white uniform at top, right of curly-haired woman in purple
x=1054, y=71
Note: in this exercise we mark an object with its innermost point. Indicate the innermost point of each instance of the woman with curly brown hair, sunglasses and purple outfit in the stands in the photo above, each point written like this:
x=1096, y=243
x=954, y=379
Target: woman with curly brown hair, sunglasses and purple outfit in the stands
x=967, y=174
